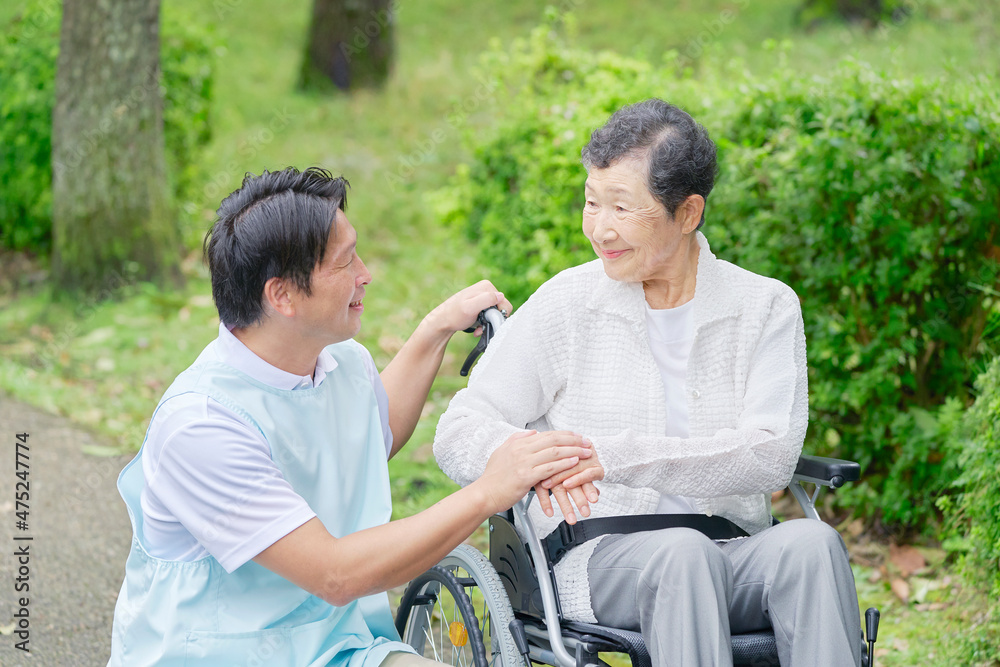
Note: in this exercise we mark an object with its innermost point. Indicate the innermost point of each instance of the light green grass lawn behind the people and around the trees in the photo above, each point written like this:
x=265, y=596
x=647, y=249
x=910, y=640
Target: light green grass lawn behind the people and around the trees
x=105, y=364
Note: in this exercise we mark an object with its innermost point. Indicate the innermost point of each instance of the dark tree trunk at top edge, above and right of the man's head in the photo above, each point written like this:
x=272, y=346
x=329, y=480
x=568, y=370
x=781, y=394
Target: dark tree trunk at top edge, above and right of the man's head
x=350, y=44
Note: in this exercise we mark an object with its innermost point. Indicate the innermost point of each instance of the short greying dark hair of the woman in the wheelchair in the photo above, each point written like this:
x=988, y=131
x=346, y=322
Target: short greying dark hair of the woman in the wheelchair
x=679, y=154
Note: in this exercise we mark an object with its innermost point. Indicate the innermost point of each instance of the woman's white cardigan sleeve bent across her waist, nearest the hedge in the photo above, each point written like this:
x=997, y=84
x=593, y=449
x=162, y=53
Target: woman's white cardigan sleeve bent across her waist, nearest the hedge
x=759, y=455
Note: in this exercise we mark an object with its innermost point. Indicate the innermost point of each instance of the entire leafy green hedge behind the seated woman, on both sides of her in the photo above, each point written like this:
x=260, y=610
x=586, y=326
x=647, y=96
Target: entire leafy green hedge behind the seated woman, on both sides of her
x=875, y=198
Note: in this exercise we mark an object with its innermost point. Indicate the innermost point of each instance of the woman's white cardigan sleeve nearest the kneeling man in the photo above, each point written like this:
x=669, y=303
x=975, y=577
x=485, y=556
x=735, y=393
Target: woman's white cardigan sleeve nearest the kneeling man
x=512, y=385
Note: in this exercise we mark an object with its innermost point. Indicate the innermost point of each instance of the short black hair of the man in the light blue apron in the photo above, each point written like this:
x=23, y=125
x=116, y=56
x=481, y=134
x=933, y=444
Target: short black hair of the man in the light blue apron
x=275, y=225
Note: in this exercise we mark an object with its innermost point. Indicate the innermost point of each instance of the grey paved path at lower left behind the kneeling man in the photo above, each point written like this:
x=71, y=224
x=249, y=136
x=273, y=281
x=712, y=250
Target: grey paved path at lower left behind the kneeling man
x=80, y=534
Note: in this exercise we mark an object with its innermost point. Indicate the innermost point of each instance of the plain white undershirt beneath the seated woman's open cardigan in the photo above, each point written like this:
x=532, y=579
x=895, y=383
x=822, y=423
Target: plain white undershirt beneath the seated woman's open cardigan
x=671, y=333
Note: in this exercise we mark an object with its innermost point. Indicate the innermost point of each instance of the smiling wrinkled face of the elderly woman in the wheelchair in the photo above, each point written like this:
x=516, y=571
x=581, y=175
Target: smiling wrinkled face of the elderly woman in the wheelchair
x=629, y=229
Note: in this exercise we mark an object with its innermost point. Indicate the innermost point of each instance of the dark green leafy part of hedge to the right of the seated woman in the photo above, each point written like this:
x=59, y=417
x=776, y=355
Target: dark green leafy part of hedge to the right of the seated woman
x=876, y=199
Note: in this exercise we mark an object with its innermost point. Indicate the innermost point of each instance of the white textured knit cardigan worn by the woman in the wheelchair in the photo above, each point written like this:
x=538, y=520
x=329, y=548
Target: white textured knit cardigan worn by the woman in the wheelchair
x=576, y=357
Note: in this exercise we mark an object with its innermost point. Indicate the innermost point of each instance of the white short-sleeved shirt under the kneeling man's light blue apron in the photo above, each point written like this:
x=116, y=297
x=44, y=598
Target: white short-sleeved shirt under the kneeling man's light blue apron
x=200, y=460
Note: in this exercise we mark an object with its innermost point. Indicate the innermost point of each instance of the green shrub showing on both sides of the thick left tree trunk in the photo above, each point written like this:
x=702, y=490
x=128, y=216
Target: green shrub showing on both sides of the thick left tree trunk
x=29, y=47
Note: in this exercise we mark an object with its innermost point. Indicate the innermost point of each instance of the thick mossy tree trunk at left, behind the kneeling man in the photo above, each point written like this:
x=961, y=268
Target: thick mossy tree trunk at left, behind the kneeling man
x=111, y=217
